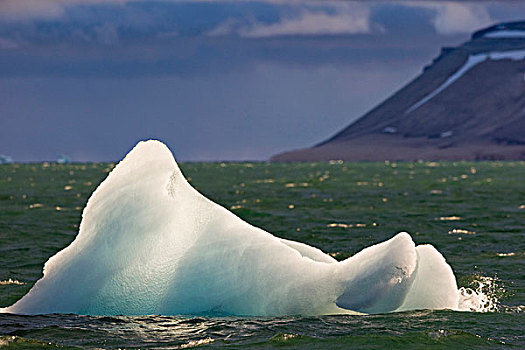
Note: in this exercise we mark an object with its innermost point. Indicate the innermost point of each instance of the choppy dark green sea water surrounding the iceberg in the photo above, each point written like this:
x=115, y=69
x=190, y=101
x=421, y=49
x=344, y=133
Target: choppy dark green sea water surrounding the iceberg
x=473, y=213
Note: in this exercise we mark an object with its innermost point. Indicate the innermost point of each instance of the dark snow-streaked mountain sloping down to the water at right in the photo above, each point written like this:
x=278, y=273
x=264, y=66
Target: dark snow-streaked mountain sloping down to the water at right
x=469, y=104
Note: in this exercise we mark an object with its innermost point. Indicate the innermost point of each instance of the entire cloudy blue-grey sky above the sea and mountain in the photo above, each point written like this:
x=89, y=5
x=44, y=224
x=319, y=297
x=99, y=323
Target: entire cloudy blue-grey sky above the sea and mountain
x=214, y=80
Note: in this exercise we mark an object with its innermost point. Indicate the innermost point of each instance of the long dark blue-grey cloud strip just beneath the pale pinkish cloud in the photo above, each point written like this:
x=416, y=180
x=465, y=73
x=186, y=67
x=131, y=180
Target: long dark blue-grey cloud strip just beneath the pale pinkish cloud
x=204, y=56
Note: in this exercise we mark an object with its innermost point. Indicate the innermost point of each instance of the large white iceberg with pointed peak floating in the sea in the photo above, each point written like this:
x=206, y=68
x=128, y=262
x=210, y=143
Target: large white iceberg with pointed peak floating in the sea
x=149, y=243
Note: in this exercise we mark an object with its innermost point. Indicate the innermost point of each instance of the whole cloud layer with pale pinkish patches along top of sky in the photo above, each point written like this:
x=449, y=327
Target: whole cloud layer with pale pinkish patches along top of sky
x=136, y=38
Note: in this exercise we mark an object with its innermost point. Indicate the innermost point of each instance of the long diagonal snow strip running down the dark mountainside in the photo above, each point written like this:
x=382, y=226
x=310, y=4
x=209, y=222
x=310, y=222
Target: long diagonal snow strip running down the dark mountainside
x=472, y=61
